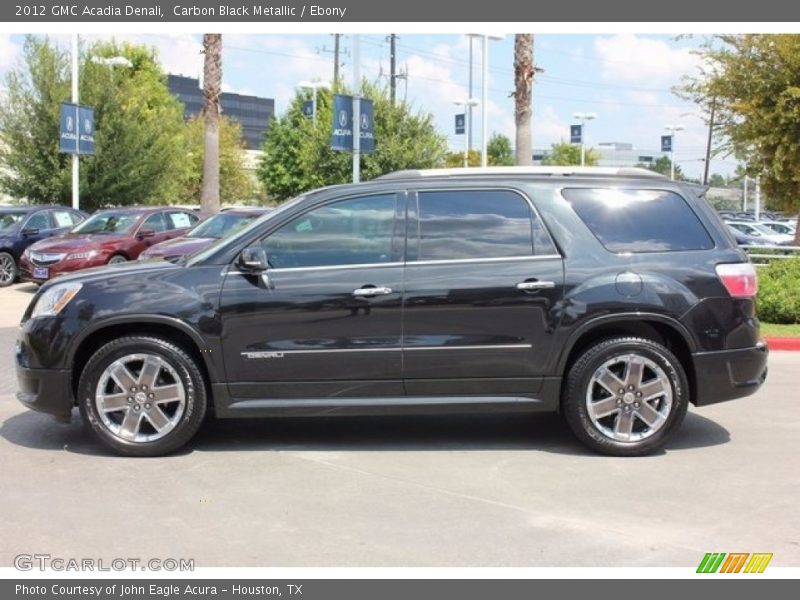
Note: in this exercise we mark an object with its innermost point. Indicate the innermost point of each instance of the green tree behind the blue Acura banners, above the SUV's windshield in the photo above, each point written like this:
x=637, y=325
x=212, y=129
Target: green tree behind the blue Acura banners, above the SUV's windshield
x=298, y=157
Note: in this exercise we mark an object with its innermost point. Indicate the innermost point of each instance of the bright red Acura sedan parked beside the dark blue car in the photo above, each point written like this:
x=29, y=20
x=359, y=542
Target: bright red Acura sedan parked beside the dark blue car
x=107, y=237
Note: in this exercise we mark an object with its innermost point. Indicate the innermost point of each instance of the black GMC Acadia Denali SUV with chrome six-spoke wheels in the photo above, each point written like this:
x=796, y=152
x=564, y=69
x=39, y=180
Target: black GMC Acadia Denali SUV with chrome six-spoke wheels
x=612, y=295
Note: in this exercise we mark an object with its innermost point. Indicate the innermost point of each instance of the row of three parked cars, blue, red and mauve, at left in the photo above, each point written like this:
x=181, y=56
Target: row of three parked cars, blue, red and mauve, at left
x=41, y=242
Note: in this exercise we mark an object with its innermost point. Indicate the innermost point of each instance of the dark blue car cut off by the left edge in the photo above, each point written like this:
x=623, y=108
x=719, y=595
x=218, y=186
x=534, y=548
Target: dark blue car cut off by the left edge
x=21, y=226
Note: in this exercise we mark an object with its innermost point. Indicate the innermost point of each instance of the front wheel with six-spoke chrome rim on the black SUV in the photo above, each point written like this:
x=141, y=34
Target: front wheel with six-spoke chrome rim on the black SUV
x=163, y=403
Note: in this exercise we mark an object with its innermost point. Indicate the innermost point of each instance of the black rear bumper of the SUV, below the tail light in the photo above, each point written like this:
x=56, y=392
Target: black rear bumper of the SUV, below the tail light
x=729, y=374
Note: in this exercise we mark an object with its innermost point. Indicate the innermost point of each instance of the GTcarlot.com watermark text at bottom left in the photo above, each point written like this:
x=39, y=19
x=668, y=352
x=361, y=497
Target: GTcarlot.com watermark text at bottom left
x=44, y=562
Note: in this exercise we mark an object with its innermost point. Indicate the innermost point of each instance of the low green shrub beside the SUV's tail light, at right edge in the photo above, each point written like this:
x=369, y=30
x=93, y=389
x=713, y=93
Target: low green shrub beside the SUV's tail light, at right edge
x=779, y=291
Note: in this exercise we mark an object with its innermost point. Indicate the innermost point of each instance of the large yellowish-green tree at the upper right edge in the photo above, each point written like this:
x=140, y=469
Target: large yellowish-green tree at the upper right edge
x=754, y=79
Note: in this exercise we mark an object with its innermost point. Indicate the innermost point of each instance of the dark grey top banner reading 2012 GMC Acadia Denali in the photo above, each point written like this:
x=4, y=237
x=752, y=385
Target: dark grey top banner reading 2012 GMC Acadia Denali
x=353, y=11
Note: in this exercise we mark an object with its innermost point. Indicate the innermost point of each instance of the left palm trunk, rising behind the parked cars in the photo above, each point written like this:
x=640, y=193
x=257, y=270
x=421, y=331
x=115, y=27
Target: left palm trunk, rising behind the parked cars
x=212, y=84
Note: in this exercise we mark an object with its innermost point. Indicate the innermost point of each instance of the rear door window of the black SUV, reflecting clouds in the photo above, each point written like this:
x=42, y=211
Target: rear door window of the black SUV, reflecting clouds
x=475, y=224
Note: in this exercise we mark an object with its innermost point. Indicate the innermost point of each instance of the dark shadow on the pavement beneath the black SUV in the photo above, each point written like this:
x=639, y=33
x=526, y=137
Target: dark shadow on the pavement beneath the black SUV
x=545, y=432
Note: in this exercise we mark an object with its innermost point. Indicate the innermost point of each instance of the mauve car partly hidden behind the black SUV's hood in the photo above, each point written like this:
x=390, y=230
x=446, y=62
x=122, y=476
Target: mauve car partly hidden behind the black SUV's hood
x=204, y=233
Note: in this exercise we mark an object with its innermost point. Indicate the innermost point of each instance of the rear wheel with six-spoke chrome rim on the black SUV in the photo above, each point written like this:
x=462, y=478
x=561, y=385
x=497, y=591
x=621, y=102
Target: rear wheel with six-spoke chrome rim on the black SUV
x=625, y=396
